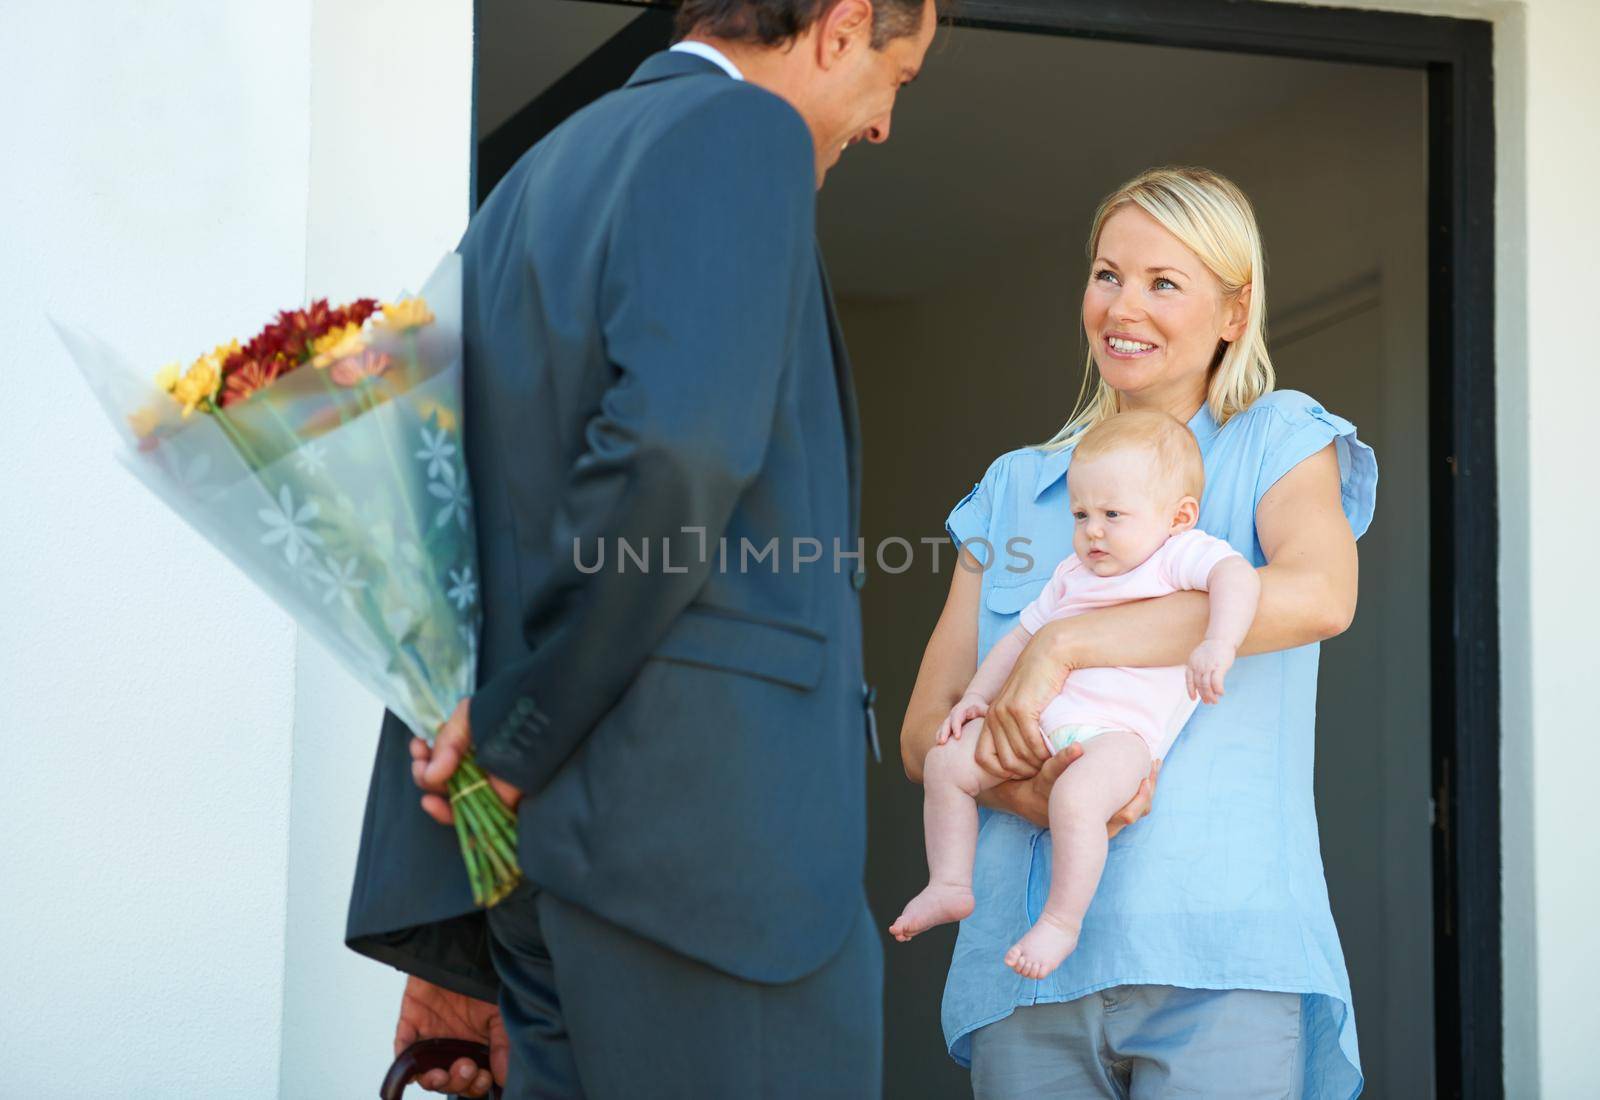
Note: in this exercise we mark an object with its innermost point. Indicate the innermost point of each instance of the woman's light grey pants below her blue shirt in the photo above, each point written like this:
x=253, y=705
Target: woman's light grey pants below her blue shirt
x=1145, y=1042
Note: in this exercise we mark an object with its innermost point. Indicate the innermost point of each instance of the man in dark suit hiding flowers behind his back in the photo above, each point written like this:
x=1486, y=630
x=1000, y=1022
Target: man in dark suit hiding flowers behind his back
x=654, y=364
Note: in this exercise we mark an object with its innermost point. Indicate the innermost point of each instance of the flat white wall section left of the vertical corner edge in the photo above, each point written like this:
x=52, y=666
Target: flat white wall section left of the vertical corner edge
x=156, y=186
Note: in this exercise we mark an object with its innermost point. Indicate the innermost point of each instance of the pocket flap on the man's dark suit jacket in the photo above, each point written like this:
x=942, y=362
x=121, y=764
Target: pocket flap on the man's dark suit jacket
x=767, y=650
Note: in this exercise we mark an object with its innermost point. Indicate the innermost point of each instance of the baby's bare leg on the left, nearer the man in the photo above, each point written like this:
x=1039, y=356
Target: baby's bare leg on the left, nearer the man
x=951, y=781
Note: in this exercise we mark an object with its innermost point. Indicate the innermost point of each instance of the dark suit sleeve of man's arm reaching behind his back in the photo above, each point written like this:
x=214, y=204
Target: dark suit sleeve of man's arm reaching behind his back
x=700, y=303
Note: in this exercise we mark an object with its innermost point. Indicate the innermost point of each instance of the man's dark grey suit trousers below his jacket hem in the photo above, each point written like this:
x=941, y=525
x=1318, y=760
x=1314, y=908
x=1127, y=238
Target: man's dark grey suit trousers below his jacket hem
x=598, y=1013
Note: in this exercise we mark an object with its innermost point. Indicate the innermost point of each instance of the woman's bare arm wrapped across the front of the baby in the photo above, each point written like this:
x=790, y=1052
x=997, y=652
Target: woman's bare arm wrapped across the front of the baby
x=1308, y=594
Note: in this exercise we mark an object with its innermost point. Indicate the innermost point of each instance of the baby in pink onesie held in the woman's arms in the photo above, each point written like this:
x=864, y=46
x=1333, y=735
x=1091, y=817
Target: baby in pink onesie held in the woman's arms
x=1135, y=490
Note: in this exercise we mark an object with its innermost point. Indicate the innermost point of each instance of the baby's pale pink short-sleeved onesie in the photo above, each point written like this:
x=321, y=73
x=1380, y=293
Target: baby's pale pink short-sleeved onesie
x=1153, y=703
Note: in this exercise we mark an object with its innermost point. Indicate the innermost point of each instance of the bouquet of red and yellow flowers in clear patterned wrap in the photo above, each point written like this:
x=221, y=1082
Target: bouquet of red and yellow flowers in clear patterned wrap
x=324, y=458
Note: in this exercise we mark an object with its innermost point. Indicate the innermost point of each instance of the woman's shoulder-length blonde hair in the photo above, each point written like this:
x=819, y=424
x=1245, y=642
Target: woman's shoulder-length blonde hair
x=1210, y=215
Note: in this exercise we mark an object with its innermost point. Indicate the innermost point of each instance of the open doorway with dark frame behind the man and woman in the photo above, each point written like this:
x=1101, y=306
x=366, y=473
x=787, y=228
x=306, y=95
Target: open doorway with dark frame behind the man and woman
x=958, y=257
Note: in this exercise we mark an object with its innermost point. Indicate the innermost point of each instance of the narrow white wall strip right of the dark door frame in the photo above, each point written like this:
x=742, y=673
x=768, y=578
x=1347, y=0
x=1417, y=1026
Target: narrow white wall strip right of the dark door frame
x=1548, y=391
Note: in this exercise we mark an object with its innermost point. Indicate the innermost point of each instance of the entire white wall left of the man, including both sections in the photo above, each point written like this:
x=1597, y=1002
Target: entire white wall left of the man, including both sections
x=175, y=196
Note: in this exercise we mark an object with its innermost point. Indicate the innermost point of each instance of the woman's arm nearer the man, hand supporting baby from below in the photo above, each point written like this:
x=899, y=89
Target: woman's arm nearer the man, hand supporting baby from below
x=948, y=668
